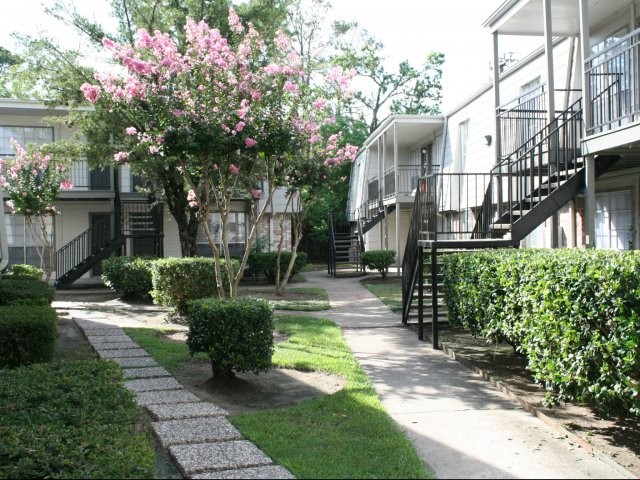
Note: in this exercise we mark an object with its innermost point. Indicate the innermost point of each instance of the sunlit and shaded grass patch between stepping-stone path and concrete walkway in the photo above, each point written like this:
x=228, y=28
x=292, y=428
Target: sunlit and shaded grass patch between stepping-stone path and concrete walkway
x=344, y=435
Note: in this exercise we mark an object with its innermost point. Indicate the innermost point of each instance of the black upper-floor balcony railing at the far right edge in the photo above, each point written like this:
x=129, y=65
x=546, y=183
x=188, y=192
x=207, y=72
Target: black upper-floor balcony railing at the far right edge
x=613, y=85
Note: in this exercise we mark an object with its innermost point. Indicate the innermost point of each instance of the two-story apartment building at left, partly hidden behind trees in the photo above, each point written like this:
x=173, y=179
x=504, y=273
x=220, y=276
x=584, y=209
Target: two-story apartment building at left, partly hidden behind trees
x=105, y=214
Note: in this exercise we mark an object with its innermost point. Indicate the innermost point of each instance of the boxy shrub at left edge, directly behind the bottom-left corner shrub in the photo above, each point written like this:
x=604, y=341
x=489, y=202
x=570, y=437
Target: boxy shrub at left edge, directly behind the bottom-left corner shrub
x=27, y=334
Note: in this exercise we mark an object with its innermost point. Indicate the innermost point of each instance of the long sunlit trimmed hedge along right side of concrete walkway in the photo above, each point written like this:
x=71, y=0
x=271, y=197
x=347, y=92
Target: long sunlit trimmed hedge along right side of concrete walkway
x=574, y=313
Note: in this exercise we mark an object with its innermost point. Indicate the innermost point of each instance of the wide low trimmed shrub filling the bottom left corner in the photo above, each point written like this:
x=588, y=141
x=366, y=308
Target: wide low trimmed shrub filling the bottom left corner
x=70, y=420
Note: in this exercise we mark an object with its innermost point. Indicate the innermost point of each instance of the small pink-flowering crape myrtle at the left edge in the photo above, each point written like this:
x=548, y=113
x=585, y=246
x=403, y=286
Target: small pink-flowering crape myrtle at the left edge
x=32, y=180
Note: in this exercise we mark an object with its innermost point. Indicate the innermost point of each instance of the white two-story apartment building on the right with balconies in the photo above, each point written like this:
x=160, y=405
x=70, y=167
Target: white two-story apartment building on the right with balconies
x=504, y=142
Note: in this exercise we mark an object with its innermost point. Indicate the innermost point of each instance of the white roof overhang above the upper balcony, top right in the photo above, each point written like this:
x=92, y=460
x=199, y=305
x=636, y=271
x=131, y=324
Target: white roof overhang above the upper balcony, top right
x=525, y=17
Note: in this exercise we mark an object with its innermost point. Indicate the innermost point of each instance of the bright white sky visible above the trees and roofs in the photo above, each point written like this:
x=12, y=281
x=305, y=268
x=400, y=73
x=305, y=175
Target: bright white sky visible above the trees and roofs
x=409, y=29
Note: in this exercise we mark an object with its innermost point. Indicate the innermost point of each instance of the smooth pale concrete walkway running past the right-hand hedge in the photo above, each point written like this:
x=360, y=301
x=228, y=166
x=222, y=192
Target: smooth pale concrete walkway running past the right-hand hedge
x=460, y=425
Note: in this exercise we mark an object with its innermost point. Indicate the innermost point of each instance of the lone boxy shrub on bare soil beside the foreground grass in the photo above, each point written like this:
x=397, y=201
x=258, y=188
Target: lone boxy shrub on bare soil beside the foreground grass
x=236, y=334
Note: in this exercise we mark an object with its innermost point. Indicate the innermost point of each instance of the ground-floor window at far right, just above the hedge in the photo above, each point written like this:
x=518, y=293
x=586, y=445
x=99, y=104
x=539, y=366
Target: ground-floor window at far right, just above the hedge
x=614, y=220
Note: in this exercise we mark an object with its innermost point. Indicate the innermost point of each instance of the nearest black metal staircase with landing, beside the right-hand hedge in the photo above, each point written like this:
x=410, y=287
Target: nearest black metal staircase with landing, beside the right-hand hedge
x=520, y=193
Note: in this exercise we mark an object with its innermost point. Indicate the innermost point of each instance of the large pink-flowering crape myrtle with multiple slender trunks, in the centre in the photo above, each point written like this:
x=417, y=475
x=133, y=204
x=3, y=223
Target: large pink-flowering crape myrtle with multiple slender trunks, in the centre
x=230, y=114
